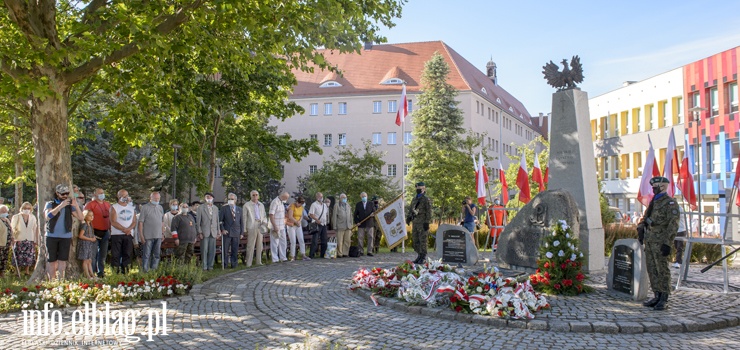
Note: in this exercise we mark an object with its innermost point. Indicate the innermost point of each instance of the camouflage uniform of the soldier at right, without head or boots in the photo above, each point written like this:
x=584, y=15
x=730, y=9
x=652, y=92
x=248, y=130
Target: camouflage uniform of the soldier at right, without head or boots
x=664, y=216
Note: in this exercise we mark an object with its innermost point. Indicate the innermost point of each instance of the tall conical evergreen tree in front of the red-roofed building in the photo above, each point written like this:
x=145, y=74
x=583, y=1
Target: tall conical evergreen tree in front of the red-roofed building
x=440, y=151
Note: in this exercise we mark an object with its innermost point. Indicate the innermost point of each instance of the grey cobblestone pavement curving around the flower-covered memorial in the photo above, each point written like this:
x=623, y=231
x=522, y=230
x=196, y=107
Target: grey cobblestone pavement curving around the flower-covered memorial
x=302, y=305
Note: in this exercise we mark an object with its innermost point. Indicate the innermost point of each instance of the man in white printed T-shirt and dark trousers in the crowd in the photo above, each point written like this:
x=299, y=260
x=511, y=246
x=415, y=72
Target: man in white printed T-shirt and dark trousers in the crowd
x=123, y=223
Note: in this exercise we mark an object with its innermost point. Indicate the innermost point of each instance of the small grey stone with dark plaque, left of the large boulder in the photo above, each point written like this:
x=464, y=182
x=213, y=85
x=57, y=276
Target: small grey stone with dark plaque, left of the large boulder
x=455, y=245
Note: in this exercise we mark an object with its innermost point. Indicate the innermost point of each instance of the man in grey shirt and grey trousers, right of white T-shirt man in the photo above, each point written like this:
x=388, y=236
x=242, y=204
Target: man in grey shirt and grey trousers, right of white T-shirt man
x=150, y=232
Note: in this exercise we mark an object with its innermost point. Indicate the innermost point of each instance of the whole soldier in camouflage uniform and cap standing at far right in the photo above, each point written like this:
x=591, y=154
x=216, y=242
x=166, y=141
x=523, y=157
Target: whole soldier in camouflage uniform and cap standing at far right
x=657, y=230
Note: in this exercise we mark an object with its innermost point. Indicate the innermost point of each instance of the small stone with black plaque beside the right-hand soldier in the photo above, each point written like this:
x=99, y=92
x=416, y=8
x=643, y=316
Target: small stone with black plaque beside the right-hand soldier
x=627, y=269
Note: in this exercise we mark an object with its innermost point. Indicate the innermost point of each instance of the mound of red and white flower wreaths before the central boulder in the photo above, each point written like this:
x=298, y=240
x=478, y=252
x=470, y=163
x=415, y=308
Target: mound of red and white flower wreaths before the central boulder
x=435, y=284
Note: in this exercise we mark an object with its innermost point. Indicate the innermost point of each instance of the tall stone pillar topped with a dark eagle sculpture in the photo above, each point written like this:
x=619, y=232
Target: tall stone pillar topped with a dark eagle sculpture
x=572, y=166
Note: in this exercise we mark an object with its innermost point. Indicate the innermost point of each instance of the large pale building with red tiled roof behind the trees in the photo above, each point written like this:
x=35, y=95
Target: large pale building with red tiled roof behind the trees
x=361, y=103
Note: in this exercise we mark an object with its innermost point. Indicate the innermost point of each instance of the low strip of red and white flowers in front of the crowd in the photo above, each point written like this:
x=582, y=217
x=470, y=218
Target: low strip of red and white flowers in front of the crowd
x=75, y=294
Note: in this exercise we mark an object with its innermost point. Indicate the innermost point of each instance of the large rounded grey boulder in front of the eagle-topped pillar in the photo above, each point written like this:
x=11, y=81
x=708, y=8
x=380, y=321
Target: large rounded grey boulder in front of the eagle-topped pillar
x=519, y=244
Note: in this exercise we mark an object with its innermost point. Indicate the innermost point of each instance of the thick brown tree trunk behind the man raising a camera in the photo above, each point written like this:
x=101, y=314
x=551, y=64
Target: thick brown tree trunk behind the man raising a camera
x=53, y=166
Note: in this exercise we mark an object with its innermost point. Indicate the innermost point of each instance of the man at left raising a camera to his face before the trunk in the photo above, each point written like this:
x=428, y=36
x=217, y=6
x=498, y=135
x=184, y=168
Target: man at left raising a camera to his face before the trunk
x=59, y=230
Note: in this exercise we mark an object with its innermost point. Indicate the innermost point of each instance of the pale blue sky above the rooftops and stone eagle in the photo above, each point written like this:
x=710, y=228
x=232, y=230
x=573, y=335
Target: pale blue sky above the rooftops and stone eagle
x=616, y=40
